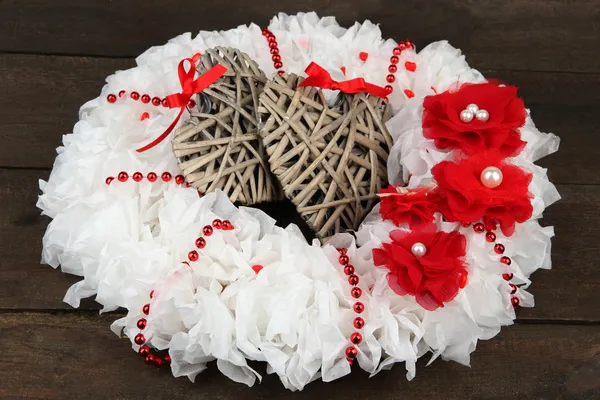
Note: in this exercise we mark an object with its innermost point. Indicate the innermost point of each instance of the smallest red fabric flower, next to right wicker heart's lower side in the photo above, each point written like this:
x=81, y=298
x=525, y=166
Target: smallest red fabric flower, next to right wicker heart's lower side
x=414, y=207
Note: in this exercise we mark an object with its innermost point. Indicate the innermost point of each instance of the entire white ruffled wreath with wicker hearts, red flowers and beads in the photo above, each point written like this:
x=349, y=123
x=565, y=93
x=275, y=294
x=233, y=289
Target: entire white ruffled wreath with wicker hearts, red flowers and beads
x=416, y=172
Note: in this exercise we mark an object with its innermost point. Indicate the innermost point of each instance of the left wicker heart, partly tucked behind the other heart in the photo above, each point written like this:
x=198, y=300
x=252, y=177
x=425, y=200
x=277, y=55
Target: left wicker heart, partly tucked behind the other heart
x=219, y=147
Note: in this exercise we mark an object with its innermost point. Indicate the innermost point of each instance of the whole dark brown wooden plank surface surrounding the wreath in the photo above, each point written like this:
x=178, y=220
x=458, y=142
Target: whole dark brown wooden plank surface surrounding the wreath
x=54, y=56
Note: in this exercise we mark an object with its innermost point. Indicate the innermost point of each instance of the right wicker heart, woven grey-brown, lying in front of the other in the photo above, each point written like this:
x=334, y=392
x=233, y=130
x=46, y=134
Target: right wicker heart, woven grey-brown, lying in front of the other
x=331, y=162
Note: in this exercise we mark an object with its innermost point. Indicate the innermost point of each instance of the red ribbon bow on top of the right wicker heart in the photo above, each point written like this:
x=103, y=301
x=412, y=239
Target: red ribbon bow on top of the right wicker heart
x=319, y=77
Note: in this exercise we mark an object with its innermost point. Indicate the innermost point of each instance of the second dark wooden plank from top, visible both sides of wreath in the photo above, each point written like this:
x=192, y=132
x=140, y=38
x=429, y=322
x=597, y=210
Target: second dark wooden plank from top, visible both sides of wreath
x=43, y=94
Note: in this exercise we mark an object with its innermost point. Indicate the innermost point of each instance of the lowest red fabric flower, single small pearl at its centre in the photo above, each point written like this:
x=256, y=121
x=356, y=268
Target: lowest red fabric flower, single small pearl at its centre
x=433, y=278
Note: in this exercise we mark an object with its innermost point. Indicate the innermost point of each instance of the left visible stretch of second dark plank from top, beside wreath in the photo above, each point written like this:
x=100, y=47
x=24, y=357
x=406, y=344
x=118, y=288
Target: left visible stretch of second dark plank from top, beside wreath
x=40, y=101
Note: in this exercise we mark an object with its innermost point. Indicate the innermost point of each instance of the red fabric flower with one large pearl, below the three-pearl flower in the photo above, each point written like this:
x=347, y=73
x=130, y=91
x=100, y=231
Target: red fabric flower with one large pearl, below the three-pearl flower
x=464, y=198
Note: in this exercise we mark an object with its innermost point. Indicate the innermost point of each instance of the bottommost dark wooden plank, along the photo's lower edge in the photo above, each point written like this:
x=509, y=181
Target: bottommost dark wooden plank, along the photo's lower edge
x=77, y=357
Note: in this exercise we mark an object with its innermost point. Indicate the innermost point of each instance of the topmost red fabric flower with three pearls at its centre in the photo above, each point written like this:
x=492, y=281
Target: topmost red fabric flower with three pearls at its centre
x=441, y=119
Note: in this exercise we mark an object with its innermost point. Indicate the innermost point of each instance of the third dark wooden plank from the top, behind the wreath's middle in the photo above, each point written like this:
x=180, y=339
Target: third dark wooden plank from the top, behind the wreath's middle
x=567, y=292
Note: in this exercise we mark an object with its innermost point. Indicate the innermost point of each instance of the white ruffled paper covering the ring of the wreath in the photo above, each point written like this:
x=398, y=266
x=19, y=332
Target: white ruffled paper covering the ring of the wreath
x=126, y=239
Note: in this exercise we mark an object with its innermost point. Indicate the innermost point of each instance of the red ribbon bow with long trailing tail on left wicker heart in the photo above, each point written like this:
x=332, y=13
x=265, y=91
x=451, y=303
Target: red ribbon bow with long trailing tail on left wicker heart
x=189, y=87
